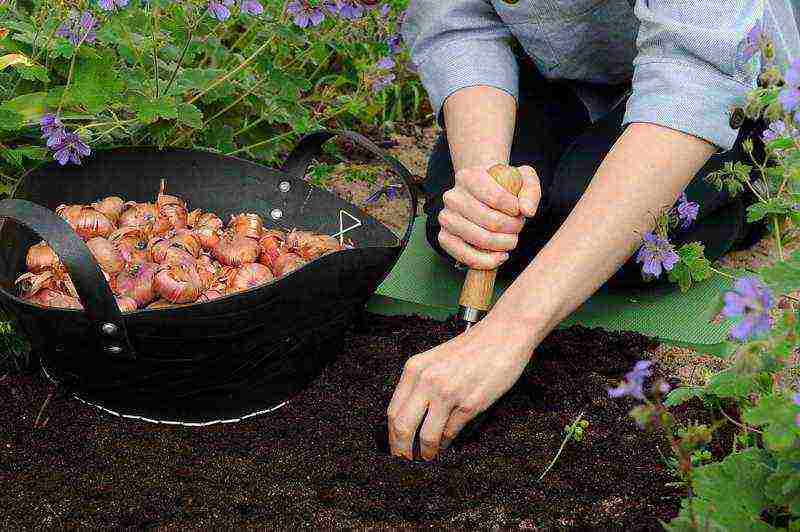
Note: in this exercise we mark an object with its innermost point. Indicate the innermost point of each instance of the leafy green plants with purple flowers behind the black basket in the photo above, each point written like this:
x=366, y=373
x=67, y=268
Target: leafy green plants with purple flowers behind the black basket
x=240, y=77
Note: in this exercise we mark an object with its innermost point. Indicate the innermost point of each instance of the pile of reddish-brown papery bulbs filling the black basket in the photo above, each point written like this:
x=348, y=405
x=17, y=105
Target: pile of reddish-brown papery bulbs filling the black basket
x=157, y=255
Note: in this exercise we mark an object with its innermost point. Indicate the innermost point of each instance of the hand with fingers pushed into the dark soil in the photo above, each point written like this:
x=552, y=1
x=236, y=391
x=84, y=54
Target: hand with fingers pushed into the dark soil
x=453, y=383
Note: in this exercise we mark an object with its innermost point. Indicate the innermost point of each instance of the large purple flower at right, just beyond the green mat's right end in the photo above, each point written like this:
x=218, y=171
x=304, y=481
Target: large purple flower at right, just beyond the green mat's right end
x=751, y=300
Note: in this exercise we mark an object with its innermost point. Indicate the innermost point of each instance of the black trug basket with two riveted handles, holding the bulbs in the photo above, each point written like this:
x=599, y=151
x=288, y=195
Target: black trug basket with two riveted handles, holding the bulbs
x=220, y=361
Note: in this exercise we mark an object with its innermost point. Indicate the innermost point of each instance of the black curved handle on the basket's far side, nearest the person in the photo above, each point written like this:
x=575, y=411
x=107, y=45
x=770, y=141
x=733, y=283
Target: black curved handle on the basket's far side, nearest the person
x=296, y=164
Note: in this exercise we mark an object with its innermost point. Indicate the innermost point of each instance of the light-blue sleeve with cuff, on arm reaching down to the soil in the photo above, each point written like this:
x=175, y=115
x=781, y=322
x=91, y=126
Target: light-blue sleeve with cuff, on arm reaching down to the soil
x=690, y=70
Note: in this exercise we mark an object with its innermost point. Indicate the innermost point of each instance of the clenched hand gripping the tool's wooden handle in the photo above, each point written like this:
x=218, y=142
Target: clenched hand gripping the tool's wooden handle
x=481, y=220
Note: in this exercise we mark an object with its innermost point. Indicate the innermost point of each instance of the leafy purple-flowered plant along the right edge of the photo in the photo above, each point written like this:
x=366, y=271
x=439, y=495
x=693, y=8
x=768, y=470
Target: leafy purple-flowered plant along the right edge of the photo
x=757, y=485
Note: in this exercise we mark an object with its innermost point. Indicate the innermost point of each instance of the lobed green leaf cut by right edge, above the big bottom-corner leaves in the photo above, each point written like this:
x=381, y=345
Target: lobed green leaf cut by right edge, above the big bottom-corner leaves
x=776, y=415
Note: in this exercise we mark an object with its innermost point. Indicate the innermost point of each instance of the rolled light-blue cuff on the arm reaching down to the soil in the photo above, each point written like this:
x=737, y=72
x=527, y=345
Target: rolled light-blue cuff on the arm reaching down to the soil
x=686, y=98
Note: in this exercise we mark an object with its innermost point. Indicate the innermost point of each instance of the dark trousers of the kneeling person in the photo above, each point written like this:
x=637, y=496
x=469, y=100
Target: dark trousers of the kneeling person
x=555, y=136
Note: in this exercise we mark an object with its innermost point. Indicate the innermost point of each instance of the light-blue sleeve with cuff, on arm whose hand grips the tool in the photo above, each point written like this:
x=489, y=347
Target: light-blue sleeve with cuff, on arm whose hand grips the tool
x=456, y=44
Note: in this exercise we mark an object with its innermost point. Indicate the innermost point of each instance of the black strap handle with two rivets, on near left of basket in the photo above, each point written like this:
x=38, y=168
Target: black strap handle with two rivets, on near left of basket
x=95, y=294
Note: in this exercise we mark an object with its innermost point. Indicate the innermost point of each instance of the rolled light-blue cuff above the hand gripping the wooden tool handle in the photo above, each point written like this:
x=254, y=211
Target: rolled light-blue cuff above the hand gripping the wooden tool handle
x=468, y=64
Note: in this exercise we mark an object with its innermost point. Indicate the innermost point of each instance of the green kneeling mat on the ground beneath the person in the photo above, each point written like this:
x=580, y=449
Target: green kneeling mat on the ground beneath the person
x=423, y=283
